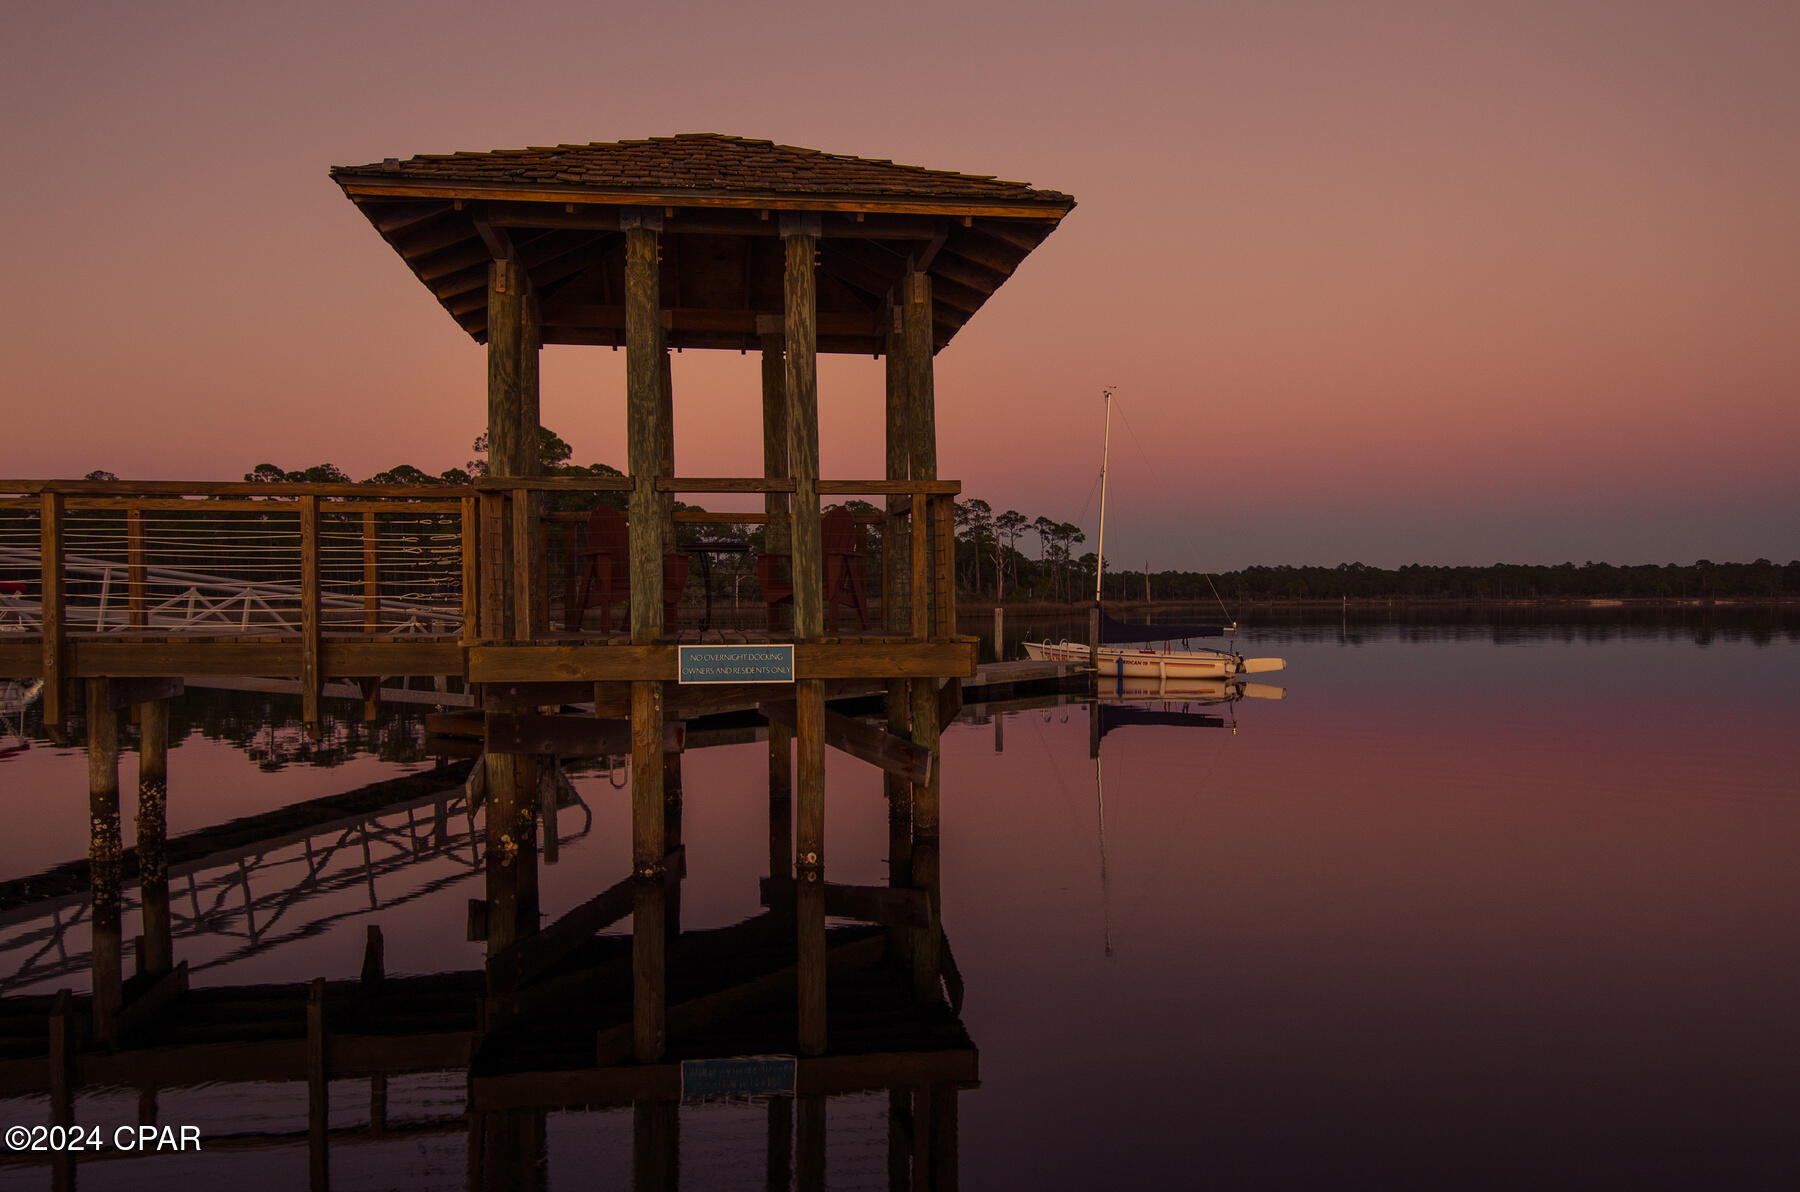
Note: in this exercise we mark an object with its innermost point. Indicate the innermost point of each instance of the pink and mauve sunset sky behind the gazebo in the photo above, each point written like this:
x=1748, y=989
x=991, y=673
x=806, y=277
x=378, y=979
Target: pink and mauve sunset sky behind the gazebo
x=1376, y=282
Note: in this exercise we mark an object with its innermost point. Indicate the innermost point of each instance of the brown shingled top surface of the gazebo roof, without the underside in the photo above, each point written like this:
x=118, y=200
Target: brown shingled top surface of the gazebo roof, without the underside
x=703, y=163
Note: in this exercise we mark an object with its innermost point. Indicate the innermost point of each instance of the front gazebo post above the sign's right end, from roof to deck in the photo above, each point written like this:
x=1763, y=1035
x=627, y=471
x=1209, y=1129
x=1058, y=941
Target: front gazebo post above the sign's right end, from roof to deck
x=800, y=289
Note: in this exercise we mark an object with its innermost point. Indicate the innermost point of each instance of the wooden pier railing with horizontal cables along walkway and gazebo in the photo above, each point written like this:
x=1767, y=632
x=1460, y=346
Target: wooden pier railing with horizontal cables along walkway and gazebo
x=256, y=563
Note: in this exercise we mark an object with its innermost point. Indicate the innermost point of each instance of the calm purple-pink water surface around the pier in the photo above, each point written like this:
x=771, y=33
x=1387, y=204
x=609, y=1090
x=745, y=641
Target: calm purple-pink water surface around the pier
x=1471, y=907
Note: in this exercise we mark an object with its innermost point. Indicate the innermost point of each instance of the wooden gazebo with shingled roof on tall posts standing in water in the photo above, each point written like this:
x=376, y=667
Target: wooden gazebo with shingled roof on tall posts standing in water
x=714, y=242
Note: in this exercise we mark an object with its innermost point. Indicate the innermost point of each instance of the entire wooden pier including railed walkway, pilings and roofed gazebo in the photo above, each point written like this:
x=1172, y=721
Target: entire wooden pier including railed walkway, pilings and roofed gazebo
x=649, y=248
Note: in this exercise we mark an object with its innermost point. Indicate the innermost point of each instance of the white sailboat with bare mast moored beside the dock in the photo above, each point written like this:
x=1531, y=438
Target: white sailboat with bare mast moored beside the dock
x=1162, y=664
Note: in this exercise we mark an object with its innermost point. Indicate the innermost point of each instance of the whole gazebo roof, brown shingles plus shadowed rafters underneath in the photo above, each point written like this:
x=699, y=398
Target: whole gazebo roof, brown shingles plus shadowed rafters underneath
x=561, y=213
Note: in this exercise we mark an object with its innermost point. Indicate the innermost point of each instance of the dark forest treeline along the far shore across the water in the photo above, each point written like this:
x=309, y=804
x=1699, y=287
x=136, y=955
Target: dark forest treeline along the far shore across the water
x=1011, y=557
